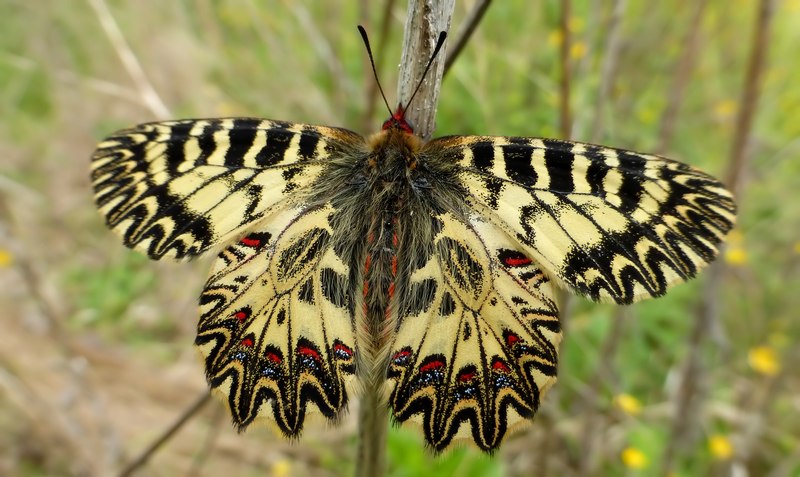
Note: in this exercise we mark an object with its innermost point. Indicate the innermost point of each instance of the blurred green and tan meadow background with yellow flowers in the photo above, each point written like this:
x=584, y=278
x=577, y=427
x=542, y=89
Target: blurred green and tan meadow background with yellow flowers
x=96, y=355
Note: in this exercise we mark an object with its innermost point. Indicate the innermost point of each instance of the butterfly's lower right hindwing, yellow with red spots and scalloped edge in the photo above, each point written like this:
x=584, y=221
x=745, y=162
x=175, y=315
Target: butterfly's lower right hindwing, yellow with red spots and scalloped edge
x=477, y=337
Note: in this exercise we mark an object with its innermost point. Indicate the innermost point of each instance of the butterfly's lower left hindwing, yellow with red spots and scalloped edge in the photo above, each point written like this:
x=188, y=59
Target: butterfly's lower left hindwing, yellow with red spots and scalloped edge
x=276, y=327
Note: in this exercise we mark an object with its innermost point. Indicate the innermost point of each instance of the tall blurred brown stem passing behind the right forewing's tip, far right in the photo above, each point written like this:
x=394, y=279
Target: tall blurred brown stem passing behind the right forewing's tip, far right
x=737, y=163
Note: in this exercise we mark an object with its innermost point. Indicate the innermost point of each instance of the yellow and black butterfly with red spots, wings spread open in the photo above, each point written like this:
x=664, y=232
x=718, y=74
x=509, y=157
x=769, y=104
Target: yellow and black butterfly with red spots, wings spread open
x=427, y=269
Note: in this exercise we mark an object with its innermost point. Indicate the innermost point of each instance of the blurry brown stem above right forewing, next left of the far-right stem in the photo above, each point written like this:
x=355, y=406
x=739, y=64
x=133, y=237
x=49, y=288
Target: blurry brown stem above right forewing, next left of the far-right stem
x=682, y=74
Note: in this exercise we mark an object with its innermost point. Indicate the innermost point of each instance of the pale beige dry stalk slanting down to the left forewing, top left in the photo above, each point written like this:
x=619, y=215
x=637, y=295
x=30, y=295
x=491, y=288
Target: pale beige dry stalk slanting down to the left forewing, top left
x=129, y=61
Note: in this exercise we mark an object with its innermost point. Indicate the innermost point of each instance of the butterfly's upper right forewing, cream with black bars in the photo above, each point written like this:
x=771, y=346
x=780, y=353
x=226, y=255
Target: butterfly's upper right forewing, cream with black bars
x=610, y=224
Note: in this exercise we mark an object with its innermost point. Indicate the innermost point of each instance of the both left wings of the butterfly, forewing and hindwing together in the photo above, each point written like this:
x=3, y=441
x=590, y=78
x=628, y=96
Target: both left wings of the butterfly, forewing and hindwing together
x=276, y=329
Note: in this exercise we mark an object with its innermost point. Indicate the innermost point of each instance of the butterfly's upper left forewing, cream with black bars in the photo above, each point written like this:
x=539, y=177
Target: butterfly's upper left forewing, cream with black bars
x=177, y=188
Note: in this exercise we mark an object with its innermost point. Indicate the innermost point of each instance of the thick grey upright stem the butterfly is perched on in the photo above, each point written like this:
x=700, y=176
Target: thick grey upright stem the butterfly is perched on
x=426, y=18
